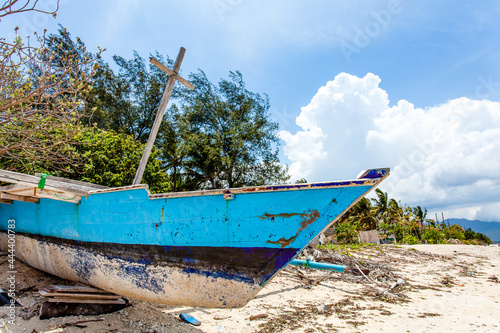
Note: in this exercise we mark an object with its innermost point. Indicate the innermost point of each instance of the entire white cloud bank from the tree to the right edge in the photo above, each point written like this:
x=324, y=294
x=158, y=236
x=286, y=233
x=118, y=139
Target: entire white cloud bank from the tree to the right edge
x=445, y=158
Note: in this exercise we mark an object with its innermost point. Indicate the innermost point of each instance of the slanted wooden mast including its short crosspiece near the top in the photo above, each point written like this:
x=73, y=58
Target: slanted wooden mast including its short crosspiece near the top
x=161, y=110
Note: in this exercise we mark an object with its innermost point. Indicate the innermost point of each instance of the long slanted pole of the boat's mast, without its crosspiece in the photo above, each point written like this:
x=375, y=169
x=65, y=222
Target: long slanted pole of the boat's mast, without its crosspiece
x=159, y=116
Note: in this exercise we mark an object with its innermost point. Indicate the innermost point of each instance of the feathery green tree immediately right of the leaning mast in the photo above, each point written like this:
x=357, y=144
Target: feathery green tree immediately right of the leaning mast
x=227, y=135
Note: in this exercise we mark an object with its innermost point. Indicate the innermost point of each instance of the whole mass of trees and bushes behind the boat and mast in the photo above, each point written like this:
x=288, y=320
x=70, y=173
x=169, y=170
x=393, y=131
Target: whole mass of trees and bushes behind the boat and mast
x=213, y=137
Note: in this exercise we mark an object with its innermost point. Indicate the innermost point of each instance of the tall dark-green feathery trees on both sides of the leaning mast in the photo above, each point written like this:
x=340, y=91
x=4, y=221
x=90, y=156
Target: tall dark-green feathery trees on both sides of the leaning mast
x=215, y=136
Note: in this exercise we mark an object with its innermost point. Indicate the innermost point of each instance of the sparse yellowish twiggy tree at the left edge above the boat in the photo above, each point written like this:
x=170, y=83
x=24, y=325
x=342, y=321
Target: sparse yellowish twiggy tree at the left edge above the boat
x=41, y=99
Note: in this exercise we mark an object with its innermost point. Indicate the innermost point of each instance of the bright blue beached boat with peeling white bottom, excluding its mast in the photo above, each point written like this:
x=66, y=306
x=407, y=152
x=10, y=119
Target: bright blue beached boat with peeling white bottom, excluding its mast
x=214, y=248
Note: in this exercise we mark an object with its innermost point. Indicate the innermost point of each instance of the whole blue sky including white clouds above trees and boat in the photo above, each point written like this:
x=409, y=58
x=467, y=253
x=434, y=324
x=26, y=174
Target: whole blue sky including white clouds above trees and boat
x=419, y=60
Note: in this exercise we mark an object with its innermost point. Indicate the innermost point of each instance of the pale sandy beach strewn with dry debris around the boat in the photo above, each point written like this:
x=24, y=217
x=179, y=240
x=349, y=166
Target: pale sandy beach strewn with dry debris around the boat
x=420, y=288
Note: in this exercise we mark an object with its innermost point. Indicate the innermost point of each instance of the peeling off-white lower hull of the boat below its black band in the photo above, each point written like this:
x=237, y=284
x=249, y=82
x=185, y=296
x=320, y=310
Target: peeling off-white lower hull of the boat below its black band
x=174, y=284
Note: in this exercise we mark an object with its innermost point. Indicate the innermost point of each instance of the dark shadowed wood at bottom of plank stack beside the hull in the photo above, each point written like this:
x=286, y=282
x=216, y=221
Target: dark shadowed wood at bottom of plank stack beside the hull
x=50, y=310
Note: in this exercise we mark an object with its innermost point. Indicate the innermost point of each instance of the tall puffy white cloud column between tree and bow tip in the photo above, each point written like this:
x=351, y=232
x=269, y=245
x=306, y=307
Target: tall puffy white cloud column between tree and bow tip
x=335, y=125
